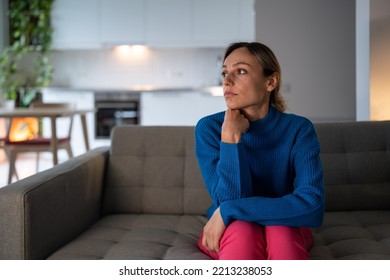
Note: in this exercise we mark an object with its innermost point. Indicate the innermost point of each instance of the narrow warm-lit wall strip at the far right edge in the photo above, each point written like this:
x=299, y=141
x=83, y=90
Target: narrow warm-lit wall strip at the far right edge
x=380, y=59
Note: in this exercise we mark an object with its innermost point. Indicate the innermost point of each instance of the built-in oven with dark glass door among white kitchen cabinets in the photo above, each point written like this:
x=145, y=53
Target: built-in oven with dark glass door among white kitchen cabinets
x=113, y=109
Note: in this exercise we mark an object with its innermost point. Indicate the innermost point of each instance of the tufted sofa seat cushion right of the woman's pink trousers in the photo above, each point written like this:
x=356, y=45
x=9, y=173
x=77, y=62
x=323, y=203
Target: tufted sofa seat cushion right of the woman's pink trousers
x=353, y=235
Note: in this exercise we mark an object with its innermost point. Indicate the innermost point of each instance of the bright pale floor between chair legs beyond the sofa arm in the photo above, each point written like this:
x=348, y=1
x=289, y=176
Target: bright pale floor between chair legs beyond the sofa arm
x=25, y=166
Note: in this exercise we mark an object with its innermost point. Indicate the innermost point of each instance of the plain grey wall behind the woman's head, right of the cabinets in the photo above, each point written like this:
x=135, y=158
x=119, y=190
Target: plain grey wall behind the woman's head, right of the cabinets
x=315, y=43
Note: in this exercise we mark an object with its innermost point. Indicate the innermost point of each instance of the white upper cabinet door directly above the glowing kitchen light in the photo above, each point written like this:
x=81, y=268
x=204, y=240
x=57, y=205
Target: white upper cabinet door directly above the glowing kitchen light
x=122, y=22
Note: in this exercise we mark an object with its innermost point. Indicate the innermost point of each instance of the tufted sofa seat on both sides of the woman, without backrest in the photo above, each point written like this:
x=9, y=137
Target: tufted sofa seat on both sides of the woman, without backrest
x=343, y=235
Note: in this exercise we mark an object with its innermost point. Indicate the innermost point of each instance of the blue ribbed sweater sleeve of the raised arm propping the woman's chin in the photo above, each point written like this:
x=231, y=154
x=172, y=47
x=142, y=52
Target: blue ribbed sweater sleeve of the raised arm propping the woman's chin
x=224, y=166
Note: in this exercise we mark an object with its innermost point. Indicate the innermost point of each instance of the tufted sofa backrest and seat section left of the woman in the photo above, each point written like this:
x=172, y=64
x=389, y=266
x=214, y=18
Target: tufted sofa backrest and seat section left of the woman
x=156, y=174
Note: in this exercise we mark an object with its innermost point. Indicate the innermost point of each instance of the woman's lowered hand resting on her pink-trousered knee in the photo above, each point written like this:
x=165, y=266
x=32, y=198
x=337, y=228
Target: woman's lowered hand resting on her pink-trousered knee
x=213, y=231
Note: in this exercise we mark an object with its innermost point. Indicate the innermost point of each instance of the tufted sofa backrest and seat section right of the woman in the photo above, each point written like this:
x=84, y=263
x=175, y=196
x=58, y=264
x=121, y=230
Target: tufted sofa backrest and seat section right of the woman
x=356, y=162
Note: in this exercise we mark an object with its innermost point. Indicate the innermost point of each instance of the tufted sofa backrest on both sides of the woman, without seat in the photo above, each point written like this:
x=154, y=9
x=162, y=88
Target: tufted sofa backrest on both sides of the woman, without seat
x=154, y=169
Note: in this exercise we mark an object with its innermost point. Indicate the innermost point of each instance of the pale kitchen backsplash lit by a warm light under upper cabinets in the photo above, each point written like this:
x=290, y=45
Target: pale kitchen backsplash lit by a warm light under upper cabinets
x=127, y=67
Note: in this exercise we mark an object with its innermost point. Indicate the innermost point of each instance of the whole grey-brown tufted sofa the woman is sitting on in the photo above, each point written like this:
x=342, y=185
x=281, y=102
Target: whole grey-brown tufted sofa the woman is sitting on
x=144, y=198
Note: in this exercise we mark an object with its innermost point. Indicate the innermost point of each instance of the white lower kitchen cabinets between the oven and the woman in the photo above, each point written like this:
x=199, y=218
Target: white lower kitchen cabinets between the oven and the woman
x=178, y=108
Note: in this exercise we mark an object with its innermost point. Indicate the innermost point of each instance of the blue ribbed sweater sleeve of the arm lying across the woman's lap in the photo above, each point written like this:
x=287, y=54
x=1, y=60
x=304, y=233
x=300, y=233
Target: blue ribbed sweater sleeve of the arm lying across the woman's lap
x=304, y=206
